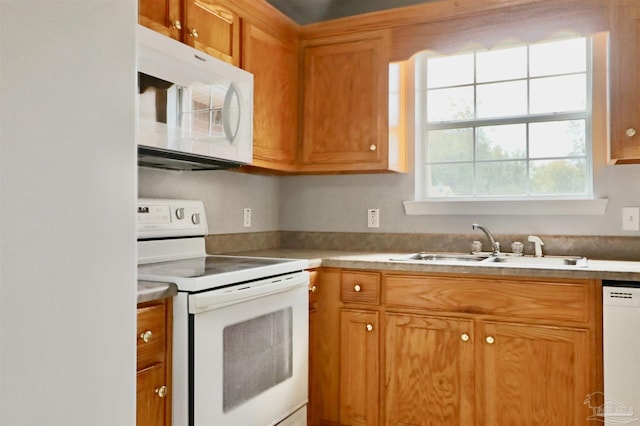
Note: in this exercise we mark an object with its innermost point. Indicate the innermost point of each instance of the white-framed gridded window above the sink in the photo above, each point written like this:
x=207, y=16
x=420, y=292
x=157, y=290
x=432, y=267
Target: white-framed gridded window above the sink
x=508, y=123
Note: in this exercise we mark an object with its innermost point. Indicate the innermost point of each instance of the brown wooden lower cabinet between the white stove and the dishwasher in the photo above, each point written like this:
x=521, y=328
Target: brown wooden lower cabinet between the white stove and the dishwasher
x=427, y=349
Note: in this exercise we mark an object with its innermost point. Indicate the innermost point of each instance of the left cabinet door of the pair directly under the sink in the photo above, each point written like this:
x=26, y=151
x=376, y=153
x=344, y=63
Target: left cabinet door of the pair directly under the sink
x=429, y=375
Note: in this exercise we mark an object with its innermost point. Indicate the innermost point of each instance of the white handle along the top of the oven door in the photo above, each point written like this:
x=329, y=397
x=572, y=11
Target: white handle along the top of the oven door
x=216, y=299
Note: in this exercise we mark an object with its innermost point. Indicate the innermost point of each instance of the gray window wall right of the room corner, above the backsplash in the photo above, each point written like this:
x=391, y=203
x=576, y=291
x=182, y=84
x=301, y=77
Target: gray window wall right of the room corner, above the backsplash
x=339, y=203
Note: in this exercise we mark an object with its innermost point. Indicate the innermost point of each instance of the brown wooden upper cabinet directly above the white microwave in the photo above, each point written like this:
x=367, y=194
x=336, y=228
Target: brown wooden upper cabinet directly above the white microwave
x=209, y=26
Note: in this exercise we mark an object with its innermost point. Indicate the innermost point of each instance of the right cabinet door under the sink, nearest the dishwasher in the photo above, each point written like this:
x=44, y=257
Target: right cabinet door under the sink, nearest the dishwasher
x=535, y=375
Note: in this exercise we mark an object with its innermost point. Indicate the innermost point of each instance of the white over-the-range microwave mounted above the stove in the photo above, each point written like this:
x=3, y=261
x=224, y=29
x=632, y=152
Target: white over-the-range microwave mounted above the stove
x=195, y=112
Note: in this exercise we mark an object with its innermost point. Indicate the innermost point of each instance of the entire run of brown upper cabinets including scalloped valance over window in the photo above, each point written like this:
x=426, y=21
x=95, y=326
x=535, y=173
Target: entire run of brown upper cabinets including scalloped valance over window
x=321, y=100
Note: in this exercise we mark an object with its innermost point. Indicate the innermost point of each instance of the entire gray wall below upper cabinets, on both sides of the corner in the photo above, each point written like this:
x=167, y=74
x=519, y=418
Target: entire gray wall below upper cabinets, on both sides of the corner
x=339, y=203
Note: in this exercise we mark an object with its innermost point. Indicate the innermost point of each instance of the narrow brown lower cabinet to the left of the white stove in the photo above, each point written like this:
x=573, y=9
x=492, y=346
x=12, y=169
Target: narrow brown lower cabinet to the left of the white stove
x=153, y=382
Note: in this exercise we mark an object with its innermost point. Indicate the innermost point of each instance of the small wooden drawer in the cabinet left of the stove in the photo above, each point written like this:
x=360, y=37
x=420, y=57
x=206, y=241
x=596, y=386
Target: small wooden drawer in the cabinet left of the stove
x=151, y=335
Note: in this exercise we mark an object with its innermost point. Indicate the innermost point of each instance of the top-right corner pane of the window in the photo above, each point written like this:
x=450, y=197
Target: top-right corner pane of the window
x=558, y=57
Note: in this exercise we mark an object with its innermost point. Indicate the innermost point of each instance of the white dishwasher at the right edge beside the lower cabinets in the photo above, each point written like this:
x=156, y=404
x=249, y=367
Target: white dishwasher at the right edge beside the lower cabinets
x=621, y=335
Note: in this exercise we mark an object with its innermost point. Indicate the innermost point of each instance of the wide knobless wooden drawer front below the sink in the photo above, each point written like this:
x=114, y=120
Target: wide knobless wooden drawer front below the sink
x=553, y=300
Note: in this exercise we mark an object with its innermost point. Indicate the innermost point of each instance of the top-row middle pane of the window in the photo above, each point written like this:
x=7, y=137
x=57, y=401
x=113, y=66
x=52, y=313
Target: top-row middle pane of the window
x=502, y=64
